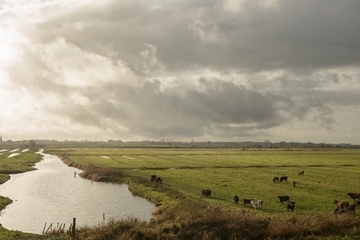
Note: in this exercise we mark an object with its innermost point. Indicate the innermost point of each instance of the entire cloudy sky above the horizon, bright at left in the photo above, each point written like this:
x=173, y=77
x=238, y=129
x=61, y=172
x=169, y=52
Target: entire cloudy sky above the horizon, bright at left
x=185, y=70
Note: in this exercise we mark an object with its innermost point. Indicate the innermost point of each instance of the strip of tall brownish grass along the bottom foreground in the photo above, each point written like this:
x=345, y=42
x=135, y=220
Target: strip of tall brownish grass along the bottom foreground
x=217, y=223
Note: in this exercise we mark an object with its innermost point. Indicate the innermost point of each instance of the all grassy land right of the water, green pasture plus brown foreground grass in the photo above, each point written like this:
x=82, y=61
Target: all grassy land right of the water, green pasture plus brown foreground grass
x=184, y=214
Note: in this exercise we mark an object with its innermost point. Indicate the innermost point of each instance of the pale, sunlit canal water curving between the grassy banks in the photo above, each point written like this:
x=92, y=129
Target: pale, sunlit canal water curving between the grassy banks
x=54, y=194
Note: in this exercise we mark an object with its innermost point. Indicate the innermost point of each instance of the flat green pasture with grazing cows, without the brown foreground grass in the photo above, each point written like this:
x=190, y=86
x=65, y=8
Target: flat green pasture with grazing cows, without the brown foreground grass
x=329, y=173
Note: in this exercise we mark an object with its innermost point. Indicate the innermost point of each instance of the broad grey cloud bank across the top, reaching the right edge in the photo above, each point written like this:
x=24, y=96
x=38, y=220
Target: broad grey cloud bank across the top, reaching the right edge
x=297, y=34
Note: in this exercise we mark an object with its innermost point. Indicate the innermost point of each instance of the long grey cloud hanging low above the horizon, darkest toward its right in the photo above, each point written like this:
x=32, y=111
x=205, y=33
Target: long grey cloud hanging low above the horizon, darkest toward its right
x=218, y=107
